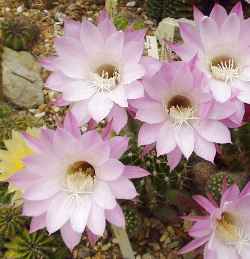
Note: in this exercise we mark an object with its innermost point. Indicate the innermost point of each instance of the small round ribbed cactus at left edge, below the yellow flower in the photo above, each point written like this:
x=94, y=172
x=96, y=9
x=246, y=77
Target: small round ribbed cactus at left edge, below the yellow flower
x=11, y=221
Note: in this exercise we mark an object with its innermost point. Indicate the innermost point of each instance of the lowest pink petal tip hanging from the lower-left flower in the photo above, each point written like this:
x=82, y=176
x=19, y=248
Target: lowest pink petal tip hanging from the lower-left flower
x=70, y=237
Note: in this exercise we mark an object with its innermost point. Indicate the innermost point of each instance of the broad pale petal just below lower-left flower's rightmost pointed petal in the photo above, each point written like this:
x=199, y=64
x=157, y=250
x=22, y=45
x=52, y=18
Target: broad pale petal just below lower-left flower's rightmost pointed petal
x=123, y=189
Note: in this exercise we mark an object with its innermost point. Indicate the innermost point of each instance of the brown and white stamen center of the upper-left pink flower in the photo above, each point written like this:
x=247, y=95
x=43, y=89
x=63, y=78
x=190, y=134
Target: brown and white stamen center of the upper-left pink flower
x=107, y=77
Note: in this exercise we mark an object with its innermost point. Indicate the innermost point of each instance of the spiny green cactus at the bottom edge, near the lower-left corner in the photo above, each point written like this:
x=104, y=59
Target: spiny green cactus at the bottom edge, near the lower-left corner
x=38, y=245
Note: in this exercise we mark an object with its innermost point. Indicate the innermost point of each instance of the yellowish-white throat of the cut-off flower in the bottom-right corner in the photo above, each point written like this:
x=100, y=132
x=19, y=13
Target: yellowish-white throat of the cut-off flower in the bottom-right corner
x=232, y=232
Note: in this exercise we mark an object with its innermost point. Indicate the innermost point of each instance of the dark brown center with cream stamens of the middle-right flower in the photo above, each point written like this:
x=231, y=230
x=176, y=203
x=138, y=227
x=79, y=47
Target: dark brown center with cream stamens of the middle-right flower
x=180, y=110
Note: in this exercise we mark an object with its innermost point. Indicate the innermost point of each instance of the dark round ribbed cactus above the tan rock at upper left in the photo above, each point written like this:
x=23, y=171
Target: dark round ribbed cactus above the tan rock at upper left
x=19, y=33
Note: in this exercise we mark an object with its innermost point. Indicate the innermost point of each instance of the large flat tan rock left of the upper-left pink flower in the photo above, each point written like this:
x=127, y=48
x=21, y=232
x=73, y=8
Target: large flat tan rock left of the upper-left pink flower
x=22, y=83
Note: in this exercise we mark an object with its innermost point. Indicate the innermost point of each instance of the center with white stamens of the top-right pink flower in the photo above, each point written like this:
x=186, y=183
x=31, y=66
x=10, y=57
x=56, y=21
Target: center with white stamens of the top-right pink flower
x=224, y=68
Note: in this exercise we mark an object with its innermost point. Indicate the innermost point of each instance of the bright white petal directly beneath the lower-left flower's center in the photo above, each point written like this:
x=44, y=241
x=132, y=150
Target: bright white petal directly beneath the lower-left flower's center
x=80, y=213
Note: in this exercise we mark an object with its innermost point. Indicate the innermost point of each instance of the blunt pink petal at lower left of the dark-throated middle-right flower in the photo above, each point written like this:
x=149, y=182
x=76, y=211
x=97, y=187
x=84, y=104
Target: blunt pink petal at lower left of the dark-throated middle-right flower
x=148, y=133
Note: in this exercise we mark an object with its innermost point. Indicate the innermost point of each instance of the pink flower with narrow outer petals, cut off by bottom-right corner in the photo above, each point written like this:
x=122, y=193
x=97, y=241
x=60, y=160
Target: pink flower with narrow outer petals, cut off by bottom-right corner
x=225, y=230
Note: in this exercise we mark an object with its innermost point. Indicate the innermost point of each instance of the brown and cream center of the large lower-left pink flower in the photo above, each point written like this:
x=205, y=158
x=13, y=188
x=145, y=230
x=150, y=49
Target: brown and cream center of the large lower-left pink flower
x=80, y=178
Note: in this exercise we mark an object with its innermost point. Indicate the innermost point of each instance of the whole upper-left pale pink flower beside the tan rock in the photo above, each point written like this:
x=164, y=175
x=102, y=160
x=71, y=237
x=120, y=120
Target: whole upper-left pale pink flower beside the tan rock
x=97, y=70
